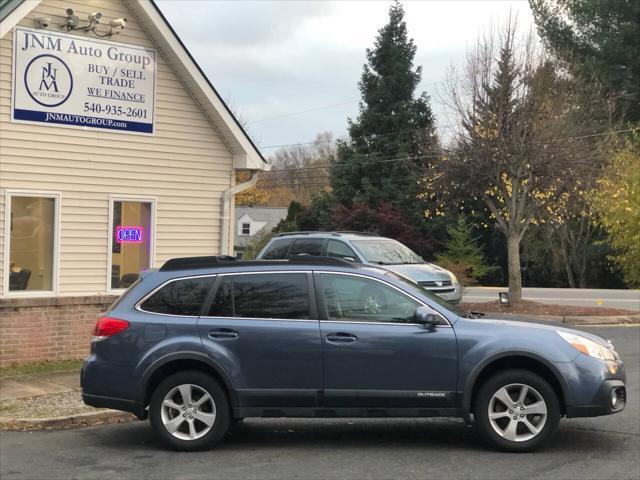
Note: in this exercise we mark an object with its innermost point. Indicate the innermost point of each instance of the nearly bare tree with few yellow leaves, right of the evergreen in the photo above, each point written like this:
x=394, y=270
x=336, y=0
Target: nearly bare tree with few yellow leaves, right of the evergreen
x=511, y=149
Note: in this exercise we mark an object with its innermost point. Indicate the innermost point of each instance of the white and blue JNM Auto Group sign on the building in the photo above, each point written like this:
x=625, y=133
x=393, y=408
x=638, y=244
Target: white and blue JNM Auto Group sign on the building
x=77, y=81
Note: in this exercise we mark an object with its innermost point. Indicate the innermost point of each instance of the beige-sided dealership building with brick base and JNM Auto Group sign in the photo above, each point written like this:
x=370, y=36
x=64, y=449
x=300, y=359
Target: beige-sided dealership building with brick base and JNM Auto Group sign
x=116, y=154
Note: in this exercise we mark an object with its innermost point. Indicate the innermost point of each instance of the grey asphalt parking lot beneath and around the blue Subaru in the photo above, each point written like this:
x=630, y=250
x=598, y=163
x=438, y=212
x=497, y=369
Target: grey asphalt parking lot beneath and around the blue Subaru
x=599, y=448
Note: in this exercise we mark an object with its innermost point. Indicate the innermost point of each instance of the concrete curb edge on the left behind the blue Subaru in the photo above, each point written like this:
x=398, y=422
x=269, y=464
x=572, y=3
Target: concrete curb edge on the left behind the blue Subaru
x=79, y=420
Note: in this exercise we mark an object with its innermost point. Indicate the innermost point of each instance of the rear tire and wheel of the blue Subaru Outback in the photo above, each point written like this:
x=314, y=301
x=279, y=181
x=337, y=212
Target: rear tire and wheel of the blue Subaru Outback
x=197, y=430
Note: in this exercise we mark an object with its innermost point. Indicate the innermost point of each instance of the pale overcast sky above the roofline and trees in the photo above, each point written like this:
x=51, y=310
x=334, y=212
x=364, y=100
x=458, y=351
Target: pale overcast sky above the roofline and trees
x=272, y=59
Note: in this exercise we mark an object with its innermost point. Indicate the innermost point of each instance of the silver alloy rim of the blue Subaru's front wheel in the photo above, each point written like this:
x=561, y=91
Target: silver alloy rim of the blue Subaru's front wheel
x=517, y=412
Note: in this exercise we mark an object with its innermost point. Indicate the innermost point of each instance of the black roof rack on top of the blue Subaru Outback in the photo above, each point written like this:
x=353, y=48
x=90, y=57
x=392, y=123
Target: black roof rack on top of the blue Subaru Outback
x=187, y=263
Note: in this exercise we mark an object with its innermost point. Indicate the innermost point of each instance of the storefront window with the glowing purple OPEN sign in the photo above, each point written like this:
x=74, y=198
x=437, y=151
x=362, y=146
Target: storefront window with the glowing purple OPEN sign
x=131, y=241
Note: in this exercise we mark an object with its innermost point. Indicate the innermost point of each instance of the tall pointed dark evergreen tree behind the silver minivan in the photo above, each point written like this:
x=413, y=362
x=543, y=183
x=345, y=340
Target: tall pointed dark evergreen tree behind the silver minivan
x=392, y=124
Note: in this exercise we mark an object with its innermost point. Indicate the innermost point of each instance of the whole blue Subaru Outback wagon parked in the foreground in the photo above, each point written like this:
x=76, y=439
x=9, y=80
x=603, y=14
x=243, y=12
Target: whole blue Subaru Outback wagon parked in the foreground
x=203, y=342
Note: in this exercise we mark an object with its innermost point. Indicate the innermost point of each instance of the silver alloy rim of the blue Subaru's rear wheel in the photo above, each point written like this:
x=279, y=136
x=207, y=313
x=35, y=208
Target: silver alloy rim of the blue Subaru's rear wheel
x=188, y=412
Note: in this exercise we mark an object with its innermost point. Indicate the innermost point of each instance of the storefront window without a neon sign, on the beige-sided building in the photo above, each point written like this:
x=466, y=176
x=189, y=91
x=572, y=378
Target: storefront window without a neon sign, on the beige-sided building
x=32, y=243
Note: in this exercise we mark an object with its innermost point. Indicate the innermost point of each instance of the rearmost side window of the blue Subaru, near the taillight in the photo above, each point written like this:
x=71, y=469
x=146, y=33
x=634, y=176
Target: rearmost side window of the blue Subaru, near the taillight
x=180, y=297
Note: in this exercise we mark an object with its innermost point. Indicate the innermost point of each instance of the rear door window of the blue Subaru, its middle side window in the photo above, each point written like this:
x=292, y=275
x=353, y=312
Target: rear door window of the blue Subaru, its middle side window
x=268, y=295
